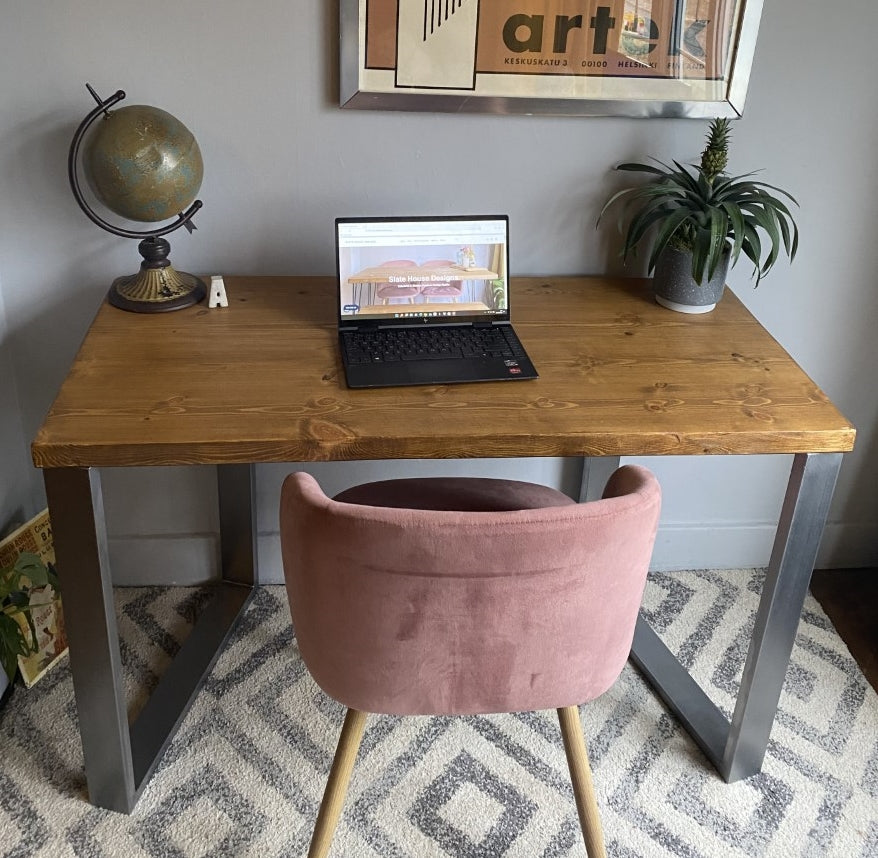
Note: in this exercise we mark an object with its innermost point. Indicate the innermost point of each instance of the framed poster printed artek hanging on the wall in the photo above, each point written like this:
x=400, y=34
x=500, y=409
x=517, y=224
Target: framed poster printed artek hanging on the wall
x=668, y=58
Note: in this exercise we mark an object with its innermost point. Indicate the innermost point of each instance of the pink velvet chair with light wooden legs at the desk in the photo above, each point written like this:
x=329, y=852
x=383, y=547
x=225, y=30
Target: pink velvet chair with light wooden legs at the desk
x=462, y=595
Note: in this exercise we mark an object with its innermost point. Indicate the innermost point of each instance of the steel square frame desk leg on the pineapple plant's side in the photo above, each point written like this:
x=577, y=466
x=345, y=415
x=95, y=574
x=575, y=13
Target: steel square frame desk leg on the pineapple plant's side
x=737, y=749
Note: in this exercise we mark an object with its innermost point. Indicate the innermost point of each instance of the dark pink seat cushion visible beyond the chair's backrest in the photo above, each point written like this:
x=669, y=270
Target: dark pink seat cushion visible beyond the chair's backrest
x=455, y=494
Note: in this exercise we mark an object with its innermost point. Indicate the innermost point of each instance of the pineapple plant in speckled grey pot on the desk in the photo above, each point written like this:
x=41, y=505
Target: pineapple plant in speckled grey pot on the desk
x=700, y=220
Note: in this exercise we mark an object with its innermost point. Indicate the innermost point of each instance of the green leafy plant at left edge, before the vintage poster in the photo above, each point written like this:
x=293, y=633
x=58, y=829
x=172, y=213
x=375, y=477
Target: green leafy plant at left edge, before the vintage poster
x=16, y=583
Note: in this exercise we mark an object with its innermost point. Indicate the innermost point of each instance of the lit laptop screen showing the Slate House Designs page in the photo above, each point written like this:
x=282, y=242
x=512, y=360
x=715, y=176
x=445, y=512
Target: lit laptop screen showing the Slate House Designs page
x=423, y=269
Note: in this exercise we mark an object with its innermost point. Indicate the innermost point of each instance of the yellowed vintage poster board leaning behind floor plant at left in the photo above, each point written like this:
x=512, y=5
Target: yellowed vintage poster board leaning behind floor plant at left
x=35, y=537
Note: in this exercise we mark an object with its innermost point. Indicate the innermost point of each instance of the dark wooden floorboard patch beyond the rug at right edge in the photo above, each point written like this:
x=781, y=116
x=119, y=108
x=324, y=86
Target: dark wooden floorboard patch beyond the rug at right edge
x=850, y=599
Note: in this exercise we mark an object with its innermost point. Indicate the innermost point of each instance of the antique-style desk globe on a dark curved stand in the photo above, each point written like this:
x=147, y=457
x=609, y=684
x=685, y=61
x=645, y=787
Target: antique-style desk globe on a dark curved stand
x=144, y=165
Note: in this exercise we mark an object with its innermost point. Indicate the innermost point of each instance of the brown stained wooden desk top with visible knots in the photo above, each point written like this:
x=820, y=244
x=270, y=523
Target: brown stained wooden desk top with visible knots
x=261, y=381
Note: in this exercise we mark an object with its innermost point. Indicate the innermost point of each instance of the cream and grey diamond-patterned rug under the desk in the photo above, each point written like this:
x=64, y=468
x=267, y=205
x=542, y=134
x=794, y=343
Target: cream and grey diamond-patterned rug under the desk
x=245, y=773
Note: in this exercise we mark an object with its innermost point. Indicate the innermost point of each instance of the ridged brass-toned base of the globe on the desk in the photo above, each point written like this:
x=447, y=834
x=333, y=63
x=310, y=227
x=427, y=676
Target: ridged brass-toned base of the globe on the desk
x=157, y=286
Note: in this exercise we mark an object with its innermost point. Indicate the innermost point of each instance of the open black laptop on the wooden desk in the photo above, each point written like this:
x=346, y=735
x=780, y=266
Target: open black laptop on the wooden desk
x=425, y=300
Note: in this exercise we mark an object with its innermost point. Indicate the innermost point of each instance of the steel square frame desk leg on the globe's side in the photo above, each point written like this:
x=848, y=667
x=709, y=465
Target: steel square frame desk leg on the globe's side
x=121, y=757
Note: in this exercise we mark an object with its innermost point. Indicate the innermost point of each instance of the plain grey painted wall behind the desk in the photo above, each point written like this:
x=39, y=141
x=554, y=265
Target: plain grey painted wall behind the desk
x=257, y=84
